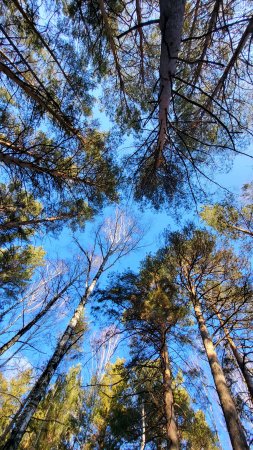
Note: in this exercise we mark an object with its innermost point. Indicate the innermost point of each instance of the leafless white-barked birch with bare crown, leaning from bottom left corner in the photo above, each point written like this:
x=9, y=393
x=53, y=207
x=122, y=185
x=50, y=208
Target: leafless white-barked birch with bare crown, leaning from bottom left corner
x=113, y=240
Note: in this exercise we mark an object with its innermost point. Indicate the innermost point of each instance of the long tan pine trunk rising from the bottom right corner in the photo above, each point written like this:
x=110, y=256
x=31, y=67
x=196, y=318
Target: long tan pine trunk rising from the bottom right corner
x=234, y=427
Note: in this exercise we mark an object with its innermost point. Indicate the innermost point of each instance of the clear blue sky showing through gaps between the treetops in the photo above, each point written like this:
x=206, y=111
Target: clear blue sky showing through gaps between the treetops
x=154, y=224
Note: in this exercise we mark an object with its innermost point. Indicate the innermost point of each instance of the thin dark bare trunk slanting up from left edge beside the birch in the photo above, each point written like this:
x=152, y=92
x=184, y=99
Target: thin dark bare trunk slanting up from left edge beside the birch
x=38, y=316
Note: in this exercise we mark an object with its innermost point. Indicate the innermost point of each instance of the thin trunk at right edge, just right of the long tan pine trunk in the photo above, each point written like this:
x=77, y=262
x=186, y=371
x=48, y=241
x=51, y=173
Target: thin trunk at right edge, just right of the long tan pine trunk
x=240, y=359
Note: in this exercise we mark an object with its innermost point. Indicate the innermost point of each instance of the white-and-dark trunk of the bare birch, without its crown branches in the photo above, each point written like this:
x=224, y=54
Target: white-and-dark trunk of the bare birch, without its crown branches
x=38, y=392
